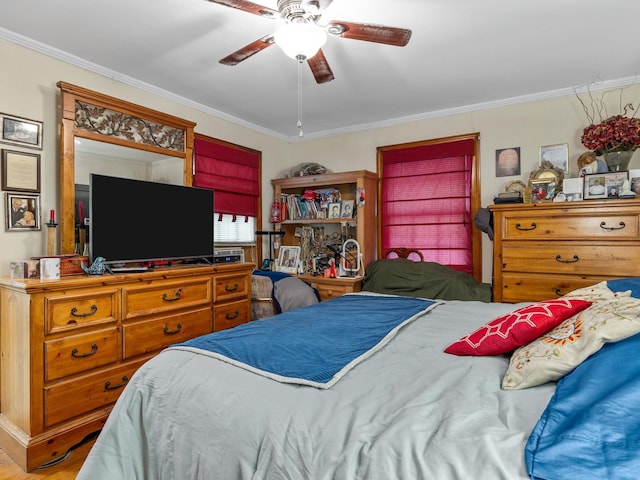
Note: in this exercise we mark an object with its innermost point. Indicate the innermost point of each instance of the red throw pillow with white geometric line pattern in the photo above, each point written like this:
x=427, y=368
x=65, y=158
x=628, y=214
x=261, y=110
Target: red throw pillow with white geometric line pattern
x=517, y=328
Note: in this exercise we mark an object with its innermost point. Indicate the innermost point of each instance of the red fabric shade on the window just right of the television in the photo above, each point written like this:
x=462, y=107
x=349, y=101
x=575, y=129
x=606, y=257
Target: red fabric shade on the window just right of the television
x=234, y=174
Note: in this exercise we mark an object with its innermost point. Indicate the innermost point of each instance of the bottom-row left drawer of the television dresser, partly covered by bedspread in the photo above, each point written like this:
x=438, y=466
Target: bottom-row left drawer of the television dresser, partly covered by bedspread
x=67, y=399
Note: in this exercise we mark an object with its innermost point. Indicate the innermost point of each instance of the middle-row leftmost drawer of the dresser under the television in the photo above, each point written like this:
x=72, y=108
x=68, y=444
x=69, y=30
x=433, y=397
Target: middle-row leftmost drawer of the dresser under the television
x=78, y=353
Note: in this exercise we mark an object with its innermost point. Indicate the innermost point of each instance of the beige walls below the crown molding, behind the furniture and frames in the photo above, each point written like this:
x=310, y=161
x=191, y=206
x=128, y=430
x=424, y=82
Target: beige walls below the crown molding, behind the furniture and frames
x=29, y=90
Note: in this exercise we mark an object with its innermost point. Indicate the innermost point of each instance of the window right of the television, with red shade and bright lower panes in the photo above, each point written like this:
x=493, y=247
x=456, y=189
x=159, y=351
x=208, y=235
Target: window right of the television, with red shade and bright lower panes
x=234, y=173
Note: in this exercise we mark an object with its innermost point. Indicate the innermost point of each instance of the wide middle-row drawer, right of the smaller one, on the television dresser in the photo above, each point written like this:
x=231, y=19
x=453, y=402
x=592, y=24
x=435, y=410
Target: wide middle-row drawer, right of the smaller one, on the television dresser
x=151, y=335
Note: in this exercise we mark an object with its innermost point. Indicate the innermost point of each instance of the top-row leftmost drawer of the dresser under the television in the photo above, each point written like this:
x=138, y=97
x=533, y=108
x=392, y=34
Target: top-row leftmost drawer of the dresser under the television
x=77, y=310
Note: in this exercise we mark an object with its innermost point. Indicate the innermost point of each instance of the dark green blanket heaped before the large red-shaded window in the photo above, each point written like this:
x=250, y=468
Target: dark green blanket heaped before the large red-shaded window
x=400, y=276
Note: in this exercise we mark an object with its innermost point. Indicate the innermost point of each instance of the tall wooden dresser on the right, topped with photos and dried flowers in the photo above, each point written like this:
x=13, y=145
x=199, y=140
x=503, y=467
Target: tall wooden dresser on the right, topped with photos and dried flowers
x=545, y=250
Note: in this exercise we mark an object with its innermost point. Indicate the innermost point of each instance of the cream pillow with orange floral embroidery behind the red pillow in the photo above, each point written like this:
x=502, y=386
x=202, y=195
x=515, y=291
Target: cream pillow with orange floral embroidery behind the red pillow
x=558, y=352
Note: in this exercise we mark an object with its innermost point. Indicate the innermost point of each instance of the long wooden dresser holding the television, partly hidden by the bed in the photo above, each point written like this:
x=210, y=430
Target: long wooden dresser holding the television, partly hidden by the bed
x=68, y=347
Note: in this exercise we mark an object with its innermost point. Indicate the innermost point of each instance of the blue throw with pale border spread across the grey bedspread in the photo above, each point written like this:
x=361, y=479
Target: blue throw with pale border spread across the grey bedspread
x=314, y=345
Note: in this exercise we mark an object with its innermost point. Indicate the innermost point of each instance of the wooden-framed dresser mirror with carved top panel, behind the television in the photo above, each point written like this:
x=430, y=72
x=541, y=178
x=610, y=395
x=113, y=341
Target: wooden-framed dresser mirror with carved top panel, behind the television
x=102, y=134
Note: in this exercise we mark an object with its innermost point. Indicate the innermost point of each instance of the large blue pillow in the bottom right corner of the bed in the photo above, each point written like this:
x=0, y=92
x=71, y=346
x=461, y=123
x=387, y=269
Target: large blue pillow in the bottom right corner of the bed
x=591, y=427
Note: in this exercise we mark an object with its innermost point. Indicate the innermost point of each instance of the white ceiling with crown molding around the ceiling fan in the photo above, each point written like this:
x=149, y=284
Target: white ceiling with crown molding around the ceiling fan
x=463, y=55
